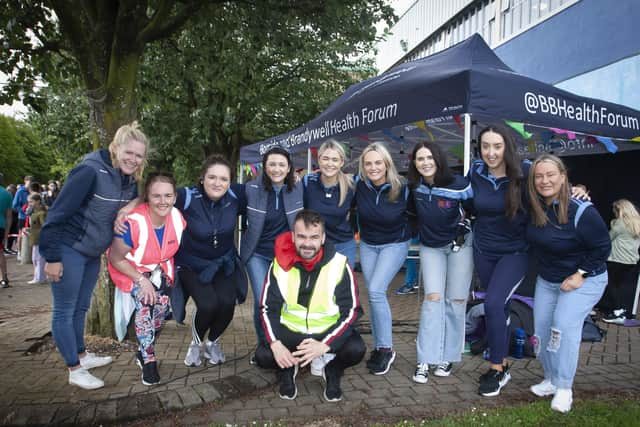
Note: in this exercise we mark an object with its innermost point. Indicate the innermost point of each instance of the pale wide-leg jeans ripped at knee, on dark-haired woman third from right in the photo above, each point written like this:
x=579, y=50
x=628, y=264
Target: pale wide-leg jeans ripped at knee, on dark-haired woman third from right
x=442, y=320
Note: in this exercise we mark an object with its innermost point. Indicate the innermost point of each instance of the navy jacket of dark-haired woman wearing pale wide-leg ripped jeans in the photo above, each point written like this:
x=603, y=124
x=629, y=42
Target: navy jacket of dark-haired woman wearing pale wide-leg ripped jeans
x=439, y=210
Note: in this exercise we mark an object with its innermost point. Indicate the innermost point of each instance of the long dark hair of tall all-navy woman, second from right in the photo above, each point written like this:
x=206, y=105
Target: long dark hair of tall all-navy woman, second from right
x=513, y=198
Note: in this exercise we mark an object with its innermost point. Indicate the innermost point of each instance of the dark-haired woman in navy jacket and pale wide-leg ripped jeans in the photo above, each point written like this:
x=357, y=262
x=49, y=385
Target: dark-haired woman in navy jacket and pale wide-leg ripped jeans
x=446, y=258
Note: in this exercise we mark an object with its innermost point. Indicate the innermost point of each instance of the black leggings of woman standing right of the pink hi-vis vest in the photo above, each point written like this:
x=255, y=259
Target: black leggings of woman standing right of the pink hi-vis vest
x=215, y=303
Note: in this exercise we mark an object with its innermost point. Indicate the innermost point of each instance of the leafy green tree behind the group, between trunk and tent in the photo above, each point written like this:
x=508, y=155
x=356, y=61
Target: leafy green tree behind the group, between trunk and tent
x=244, y=72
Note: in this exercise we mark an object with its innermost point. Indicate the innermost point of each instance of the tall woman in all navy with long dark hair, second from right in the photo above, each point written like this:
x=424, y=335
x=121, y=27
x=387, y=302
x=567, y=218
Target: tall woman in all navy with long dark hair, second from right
x=498, y=181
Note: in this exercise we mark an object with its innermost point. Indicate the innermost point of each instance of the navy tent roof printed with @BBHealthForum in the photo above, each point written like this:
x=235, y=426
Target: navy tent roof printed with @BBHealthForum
x=424, y=98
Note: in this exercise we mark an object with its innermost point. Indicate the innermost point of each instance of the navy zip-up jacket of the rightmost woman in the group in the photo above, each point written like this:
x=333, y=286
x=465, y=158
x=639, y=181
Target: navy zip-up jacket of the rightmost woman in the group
x=561, y=249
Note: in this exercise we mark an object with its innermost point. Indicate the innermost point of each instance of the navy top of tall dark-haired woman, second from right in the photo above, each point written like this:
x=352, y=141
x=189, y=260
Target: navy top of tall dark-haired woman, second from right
x=493, y=232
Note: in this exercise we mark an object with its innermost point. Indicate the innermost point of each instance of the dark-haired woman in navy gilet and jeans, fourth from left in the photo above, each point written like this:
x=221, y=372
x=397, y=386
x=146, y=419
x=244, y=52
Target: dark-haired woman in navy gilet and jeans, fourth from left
x=273, y=200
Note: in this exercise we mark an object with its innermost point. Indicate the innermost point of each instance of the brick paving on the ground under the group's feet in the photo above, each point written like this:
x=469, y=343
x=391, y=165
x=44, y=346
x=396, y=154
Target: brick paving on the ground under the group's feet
x=34, y=388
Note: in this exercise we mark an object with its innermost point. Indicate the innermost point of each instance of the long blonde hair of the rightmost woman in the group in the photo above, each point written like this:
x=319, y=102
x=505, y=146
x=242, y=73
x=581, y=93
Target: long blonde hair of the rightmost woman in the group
x=538, y=213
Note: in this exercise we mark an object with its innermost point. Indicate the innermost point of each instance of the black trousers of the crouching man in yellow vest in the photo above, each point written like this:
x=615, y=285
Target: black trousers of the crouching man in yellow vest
x=350, y=354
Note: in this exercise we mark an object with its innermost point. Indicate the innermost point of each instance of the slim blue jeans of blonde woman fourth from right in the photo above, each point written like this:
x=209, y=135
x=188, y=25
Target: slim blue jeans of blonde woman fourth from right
x=380, y=264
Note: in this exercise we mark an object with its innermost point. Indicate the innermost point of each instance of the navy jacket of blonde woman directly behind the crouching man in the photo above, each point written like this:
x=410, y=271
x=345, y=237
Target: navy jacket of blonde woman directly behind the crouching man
x=324, y=200
